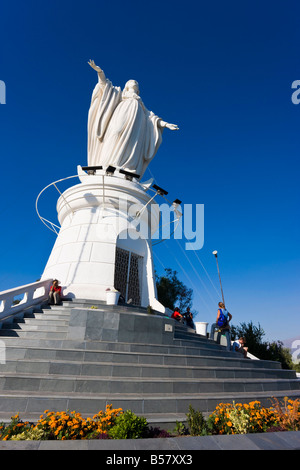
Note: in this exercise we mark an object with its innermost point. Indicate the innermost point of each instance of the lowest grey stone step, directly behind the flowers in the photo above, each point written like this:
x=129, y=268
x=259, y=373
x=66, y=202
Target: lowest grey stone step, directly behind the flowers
x=166, y=408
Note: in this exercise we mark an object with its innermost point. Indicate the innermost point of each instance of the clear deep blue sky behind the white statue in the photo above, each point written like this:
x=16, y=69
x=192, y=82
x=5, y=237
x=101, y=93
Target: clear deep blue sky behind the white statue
x=220, y=70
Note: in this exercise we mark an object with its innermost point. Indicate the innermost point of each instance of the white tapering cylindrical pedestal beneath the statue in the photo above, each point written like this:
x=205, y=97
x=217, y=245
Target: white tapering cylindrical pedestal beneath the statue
x=98, y=217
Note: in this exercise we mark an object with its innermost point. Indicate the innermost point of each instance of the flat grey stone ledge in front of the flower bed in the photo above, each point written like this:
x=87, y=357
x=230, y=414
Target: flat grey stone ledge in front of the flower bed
x=289, y=440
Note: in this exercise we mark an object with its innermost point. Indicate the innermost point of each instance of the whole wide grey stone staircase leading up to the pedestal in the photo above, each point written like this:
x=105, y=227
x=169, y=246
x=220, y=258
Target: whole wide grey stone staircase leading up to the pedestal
x=74, y=357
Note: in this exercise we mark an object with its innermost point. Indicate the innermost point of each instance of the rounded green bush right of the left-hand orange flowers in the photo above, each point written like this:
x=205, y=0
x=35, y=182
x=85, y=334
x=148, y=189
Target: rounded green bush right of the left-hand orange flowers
x=128, y=426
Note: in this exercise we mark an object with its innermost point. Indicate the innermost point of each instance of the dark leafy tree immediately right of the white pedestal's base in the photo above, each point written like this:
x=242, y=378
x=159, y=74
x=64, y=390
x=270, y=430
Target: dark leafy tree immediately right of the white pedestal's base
x=171, y=292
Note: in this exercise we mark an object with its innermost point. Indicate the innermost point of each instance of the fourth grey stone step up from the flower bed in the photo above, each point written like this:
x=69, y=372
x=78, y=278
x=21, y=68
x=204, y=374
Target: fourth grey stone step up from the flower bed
x=17, y=347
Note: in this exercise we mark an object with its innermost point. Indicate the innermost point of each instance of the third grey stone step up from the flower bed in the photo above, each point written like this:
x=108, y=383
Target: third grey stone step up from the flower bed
x=114, y=369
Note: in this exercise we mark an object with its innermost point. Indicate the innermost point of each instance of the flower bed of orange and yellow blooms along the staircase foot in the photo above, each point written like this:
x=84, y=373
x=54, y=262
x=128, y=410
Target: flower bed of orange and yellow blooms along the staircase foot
x=228, y=418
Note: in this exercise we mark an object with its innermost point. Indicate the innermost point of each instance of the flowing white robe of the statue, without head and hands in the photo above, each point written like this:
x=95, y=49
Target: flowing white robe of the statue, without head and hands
x=121, y=131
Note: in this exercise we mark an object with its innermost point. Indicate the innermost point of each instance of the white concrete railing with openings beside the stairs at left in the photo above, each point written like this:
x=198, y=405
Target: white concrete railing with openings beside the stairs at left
x=33, y=294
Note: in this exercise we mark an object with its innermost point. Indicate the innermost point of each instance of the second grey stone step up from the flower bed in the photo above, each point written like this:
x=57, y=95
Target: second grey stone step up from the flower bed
x=139, y=385
